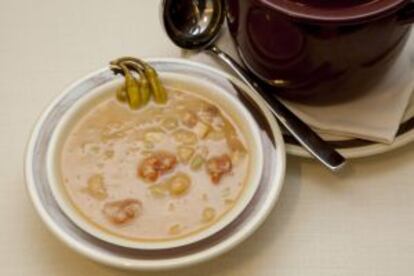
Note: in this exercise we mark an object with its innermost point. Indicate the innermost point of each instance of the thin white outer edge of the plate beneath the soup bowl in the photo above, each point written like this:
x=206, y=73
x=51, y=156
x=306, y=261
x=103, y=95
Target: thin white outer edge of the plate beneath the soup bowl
x=138, y=264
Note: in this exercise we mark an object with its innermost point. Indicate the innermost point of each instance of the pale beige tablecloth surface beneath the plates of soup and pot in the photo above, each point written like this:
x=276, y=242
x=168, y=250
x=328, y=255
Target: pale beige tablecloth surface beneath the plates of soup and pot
x=358, y=222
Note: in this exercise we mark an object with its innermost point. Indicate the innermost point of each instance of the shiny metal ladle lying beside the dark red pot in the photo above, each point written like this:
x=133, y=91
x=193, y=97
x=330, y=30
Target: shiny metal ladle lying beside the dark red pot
x=195, y=24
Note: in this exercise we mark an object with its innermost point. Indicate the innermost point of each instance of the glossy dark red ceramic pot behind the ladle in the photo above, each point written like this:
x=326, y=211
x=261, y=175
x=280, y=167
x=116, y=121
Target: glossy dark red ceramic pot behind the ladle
x=319, y=46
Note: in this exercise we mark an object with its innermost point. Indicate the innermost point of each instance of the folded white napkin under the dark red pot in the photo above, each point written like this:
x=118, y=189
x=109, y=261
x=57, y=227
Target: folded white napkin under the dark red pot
x=374, y=116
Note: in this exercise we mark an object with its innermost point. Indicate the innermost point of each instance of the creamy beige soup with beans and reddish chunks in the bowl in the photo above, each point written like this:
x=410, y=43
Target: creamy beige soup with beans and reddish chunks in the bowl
x=158, y=173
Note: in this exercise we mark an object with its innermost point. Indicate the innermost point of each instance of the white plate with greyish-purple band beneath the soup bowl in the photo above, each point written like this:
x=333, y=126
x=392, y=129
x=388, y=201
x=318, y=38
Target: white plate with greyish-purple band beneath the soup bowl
x=239, y=229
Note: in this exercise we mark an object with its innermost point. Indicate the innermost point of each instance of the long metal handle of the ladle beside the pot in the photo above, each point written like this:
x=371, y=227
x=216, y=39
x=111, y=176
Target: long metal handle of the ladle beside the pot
x=311, y=141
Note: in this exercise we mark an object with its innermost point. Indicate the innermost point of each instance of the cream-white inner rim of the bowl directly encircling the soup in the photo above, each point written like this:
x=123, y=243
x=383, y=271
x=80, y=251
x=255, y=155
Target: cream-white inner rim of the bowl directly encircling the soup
x=211, y=92
